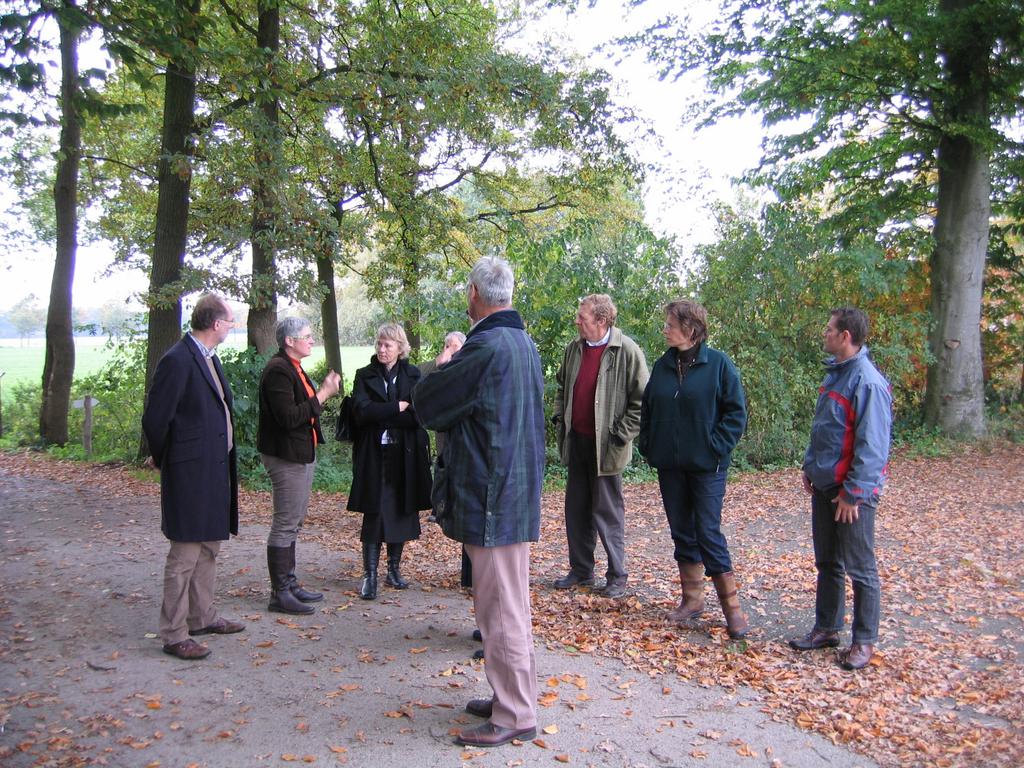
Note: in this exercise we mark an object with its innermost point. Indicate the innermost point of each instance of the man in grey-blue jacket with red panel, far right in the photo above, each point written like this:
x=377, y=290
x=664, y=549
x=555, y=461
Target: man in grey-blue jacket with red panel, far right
x=845, y=468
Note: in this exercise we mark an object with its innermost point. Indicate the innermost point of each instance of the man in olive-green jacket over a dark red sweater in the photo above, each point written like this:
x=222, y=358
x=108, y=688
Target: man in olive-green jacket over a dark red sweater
x=598, y=410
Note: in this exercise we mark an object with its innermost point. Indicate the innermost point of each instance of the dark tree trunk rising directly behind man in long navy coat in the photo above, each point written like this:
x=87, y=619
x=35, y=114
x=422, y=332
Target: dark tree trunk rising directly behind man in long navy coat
x=175, y=182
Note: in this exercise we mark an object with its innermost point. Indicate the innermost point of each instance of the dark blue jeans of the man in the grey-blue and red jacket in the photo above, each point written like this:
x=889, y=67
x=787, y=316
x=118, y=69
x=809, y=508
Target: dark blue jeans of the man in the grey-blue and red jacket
x=841, y=550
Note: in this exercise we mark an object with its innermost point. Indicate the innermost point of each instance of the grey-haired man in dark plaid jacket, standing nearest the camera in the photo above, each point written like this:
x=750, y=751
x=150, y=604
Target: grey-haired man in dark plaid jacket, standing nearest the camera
x=490, y=401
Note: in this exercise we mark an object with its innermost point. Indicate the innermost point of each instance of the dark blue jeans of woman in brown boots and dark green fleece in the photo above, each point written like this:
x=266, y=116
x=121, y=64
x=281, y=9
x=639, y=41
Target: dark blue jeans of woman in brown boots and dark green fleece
x=694, y=505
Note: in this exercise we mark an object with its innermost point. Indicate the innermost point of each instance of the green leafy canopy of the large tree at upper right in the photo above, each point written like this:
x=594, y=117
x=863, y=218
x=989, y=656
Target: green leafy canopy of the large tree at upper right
x=856, y=96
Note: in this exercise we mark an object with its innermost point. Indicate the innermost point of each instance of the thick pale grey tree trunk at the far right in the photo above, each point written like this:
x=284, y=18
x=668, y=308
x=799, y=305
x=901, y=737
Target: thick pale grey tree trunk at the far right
x=956, y=400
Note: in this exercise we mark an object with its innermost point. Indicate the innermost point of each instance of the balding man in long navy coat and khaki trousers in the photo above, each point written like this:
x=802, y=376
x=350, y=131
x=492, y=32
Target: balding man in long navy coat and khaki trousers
x=188, y=423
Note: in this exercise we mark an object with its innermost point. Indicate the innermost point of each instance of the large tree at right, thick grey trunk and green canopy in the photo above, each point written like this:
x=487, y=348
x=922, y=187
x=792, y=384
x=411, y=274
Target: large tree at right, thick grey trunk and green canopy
x=902, y=111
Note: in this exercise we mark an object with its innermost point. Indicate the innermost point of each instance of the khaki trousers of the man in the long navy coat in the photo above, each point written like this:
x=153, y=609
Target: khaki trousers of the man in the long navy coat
x=190, y=576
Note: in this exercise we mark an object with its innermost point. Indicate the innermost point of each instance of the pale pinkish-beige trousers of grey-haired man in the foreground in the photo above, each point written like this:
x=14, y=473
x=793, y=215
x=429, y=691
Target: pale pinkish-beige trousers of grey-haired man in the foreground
x=501, y=599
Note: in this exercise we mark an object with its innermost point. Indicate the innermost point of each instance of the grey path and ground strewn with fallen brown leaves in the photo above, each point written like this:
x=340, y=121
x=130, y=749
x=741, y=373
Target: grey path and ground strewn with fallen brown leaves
x=83, y=681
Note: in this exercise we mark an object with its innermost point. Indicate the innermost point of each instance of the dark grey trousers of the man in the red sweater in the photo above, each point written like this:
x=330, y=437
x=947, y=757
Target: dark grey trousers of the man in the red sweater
x=594, y=507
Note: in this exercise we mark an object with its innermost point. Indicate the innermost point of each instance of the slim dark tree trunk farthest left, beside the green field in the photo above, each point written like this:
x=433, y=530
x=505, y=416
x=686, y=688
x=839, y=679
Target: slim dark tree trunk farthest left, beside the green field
x=59, y=367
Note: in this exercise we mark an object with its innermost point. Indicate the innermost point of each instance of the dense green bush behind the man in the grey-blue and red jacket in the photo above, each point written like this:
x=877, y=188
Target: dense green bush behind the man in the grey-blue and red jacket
x=769, y=285
